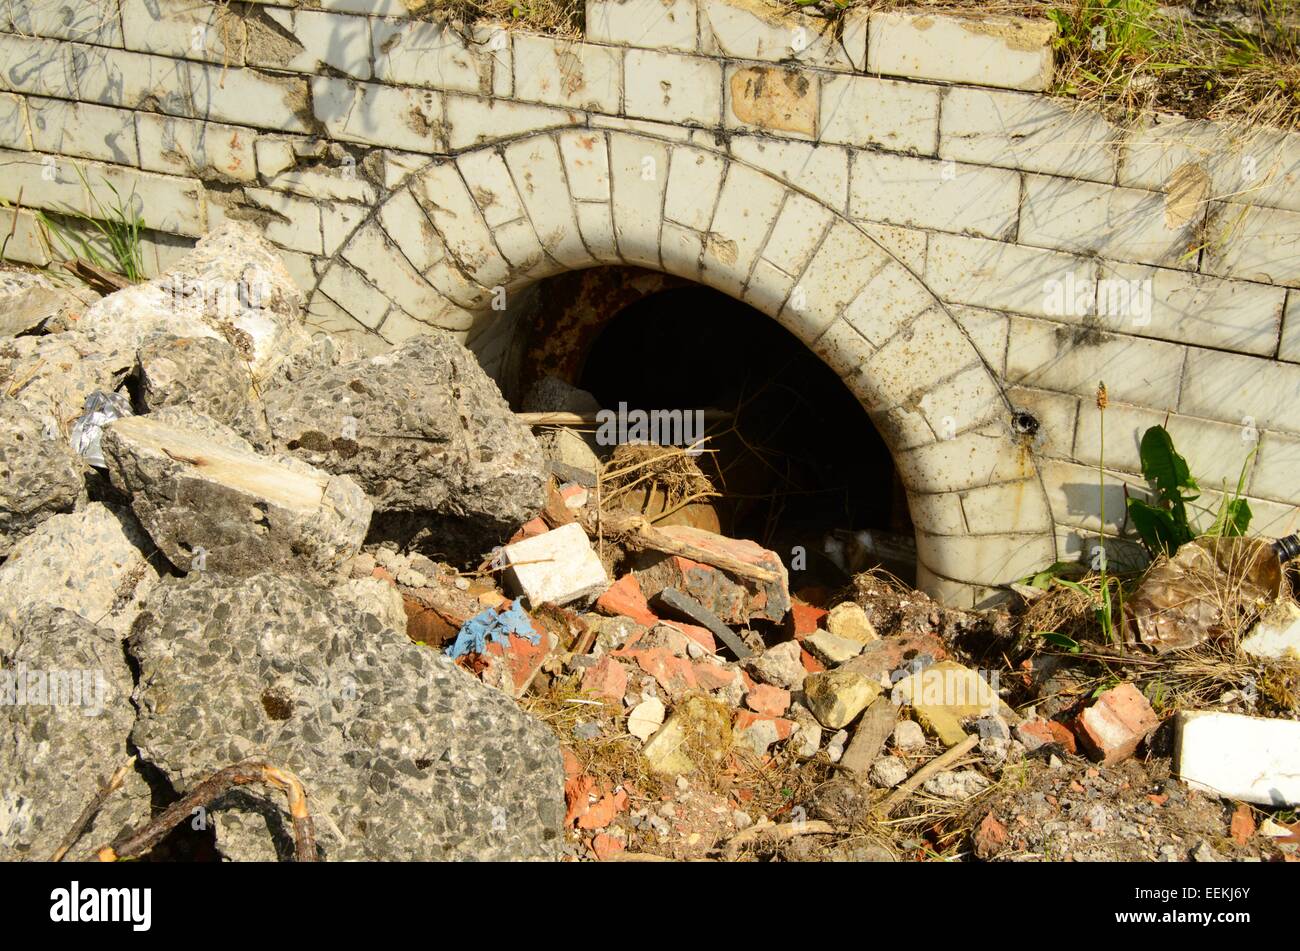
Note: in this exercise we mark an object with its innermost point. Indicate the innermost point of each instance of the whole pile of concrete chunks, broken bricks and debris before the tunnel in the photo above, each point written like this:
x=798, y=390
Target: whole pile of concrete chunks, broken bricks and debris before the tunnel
x=371, y=574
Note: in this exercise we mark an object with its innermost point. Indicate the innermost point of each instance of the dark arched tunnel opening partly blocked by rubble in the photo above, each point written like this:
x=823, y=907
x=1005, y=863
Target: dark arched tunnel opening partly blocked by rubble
x=795, y=459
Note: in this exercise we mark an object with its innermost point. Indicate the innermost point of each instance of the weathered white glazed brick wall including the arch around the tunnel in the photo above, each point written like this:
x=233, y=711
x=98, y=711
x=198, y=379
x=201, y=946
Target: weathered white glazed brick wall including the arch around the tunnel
x=960, y=247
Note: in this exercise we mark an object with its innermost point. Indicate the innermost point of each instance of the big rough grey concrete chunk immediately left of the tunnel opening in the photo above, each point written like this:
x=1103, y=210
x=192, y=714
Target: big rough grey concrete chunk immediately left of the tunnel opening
x=423, y=431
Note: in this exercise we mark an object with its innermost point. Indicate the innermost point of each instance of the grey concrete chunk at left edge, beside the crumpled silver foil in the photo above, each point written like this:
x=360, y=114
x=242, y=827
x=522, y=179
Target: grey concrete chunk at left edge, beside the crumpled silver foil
x=40, y=475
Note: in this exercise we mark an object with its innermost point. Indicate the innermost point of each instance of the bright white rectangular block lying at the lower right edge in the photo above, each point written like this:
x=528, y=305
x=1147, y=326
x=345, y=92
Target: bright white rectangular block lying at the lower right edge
x=1236, y=757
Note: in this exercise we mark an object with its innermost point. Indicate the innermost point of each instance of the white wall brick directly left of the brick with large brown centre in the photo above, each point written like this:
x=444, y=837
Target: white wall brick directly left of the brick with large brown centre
x=670, y=88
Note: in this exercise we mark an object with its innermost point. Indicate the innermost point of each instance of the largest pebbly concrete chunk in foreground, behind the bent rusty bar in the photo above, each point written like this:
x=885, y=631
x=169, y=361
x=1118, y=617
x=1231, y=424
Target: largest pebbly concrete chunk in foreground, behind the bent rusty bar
x=405, y=757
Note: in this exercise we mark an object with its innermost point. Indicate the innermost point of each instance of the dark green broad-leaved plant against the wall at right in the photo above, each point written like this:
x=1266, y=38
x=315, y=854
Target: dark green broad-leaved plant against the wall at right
x=1165, y=524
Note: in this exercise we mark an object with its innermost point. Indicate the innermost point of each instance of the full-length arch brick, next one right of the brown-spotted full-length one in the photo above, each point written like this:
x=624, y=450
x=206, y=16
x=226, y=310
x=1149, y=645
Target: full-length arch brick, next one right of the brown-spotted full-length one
x=840, y=268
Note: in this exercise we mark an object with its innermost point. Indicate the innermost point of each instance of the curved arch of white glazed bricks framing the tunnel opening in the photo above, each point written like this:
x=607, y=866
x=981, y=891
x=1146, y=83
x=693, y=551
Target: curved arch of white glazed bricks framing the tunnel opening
x=460, y=236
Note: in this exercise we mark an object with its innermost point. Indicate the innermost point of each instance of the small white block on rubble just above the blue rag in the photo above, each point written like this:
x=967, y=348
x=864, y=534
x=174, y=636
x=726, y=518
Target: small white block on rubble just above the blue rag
x=557, y=567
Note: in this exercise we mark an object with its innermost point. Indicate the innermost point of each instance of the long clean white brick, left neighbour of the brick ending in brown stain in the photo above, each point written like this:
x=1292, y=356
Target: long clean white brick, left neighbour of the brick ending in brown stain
x=942, y=196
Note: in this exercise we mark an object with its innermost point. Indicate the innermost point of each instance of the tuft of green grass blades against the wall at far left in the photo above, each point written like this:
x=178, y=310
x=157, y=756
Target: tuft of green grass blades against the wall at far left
x=109, y=236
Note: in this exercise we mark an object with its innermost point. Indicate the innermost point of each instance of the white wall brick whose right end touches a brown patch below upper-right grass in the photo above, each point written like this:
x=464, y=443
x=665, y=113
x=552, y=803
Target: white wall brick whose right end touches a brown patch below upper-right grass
x=1121, y=224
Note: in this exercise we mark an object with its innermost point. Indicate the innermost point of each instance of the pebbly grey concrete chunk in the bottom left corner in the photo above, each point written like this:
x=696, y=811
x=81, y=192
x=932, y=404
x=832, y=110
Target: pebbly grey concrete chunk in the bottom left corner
x=66, y=716
